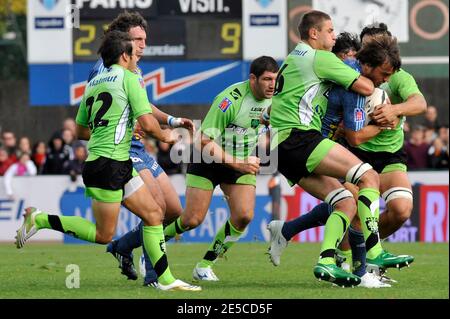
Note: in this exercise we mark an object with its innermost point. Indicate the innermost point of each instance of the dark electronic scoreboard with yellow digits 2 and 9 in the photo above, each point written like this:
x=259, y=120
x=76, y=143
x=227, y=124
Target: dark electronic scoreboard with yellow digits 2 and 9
x=177, y=29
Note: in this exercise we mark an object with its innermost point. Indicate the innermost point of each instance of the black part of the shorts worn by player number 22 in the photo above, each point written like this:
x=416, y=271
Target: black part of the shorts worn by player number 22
x=107, y=174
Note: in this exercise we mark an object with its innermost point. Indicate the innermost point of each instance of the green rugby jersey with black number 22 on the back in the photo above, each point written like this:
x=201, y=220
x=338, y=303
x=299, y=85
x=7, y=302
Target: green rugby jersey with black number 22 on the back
x=111, y=103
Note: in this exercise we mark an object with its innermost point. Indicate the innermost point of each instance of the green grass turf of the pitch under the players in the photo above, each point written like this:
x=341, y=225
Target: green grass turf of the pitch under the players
x=39, y=271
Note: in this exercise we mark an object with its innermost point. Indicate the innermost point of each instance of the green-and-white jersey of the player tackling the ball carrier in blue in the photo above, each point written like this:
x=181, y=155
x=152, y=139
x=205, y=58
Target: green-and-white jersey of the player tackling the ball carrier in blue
x=302, y=86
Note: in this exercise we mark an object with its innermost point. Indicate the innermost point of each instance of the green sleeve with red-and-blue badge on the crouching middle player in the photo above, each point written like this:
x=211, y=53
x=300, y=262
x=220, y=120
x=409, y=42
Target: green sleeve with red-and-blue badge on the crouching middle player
x=220, y=114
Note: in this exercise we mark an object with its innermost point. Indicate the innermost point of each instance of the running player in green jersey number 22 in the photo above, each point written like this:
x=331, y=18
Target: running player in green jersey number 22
x=112, y=102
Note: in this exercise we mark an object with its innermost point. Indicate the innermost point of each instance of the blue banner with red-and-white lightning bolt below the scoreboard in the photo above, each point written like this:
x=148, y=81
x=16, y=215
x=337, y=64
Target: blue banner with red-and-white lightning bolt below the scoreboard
x=166, y=82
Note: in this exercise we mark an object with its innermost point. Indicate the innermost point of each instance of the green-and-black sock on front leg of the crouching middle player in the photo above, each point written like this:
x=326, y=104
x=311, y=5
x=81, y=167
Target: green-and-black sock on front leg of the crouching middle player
x=225, y=238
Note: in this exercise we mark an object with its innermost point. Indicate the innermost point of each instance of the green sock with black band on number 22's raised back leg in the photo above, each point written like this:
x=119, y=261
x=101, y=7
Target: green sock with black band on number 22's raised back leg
x=75, y=226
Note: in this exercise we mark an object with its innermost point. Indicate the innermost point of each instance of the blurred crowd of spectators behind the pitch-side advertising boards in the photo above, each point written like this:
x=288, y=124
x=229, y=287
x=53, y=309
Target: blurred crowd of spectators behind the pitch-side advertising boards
x=426, y=145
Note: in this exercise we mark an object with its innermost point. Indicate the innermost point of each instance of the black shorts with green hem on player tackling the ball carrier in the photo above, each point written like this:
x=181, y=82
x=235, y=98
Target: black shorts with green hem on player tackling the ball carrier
x=295, y=151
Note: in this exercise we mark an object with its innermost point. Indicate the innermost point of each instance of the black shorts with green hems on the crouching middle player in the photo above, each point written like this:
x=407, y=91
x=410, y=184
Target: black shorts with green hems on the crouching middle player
x=208, y=176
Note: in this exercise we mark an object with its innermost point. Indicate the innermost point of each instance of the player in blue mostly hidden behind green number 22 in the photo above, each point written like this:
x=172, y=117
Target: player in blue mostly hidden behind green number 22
x=151, y=173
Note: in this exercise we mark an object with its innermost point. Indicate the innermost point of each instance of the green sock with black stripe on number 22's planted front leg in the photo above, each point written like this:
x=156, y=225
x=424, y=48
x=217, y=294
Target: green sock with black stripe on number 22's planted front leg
x=153, y=238
